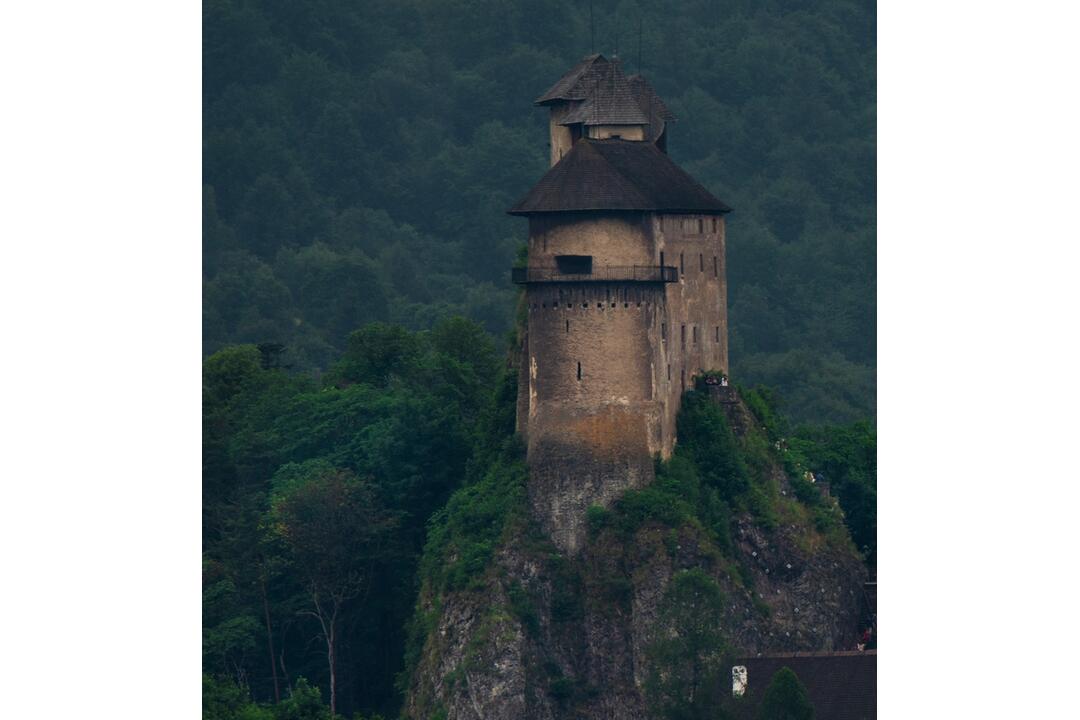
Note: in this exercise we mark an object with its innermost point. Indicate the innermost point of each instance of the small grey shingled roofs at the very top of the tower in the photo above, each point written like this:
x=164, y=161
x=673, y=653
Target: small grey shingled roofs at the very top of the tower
x=601, y=94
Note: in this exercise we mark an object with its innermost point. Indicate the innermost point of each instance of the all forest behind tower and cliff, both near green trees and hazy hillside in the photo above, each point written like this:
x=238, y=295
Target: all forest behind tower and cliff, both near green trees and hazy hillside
x=358, y=164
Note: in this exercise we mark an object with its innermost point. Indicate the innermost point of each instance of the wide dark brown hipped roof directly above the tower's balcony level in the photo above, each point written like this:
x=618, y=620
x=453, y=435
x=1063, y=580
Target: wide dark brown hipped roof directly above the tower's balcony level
x=617, y=175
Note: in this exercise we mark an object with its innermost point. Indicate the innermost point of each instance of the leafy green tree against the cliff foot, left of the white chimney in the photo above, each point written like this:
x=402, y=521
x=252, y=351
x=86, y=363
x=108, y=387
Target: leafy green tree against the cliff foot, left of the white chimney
x=691, y=654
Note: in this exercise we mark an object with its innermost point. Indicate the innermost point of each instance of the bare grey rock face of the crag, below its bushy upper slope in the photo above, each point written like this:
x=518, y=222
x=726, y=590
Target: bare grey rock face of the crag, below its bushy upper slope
x=553, y=635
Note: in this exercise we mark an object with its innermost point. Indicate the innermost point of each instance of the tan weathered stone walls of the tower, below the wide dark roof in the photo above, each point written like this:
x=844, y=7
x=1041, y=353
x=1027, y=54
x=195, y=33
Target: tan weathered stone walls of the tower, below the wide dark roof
x=592, y=437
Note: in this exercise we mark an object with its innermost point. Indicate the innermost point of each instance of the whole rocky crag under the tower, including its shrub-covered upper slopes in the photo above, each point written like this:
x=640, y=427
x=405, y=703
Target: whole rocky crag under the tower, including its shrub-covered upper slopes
x=538, y=634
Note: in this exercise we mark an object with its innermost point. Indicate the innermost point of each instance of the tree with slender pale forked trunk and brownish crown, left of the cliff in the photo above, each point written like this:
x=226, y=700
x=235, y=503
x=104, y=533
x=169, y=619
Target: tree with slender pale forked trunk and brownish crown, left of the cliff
x=336, y=533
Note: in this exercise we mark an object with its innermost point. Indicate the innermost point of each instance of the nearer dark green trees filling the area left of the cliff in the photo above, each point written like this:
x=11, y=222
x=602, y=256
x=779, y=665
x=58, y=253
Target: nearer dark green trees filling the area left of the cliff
x=317, y=496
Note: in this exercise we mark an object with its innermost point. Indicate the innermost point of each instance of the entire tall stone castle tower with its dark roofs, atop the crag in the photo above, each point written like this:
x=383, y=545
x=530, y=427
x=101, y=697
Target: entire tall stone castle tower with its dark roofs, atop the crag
x=626, y=292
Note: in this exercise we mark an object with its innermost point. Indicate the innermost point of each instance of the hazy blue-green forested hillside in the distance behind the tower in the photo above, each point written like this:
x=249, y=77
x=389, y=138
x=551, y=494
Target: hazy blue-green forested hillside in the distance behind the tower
x=359, y=159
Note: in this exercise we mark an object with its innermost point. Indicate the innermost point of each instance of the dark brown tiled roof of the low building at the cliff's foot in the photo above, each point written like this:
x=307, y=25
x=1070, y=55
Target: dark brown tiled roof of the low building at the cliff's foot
x=843, y=686
